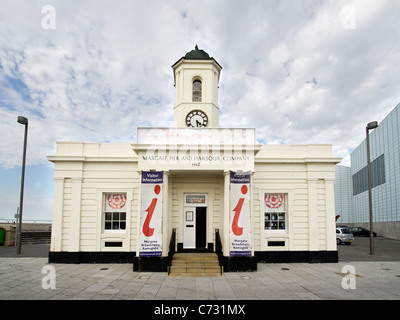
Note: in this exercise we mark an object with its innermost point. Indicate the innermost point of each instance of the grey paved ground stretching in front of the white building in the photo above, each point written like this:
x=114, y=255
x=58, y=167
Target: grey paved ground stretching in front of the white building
x=31, y=278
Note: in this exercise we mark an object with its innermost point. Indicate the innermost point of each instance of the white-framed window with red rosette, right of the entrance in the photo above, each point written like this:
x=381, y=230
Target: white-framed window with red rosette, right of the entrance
x=275, y=211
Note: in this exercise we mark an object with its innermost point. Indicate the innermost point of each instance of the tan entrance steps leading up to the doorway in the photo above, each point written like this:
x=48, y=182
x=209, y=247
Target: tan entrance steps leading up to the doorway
x=195, y=265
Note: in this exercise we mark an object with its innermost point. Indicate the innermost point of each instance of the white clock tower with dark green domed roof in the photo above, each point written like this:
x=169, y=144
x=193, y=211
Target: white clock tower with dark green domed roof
x=196, y=77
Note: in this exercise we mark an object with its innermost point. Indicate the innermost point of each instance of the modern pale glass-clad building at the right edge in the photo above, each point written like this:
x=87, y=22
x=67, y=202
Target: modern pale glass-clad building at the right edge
x=385, y=174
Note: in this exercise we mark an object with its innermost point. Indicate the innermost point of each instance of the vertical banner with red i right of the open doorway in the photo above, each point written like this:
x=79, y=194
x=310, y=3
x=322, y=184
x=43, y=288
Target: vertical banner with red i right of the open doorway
x=240, y=237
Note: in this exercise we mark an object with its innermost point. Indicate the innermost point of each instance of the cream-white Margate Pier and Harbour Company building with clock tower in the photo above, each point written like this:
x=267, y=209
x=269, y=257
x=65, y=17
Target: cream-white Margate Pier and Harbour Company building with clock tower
x=124, y=202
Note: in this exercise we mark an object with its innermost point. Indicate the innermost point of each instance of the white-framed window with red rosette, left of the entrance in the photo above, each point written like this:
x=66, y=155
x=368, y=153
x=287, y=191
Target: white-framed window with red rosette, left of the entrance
x=115, y=211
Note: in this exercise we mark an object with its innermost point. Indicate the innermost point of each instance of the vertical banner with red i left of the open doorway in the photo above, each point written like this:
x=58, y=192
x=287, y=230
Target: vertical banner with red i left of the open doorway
x=151, y=214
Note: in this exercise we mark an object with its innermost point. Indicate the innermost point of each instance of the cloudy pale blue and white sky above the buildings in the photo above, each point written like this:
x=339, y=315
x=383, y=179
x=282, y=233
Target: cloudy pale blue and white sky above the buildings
x=306, y=71
